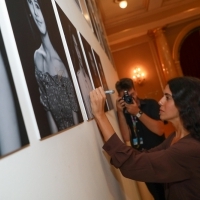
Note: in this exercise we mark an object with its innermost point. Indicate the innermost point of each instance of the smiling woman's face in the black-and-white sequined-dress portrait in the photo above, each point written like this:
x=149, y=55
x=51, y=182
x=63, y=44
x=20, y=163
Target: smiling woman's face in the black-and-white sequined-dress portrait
x=36, y=13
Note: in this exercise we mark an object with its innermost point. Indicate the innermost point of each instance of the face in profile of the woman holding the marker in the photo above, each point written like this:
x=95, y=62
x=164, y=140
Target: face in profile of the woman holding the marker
x=168, y=110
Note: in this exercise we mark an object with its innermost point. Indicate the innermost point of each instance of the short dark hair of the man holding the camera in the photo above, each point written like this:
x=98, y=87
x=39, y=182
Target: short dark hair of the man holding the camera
x=124, y=84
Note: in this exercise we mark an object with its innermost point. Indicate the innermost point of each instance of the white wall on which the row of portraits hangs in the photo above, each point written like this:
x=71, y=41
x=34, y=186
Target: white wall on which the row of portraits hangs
x=68, y=165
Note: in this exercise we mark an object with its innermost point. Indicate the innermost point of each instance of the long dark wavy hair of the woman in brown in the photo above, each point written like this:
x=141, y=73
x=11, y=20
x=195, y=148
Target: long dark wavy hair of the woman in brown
x=186, y=94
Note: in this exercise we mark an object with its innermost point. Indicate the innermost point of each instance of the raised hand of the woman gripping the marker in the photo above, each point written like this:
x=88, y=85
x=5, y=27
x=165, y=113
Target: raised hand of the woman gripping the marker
x=97, y=98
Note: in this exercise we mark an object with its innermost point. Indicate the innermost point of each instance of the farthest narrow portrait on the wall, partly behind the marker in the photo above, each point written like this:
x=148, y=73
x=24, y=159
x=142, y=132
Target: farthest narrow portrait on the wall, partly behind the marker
x=103, y=79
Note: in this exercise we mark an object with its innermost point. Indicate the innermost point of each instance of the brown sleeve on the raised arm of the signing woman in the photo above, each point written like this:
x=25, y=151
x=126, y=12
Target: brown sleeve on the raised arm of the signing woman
x=163, y=165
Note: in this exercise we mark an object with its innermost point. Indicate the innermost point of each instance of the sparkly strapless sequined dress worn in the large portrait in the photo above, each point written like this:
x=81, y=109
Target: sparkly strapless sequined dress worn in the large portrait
x=58, y=97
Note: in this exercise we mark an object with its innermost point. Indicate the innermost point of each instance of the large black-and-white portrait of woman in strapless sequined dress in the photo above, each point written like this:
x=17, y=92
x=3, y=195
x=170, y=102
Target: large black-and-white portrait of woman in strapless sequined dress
x=45, y=65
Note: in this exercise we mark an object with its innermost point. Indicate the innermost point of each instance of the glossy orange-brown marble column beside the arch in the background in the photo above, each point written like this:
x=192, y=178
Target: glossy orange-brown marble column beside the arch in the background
x=164, y=54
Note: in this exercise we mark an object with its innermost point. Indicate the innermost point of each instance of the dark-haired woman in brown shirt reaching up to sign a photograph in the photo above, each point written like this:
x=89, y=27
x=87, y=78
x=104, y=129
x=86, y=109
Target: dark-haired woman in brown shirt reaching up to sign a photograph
x=176, y=161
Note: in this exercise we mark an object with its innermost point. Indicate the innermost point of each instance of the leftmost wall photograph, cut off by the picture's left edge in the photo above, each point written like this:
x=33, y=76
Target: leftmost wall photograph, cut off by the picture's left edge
x=13, y=134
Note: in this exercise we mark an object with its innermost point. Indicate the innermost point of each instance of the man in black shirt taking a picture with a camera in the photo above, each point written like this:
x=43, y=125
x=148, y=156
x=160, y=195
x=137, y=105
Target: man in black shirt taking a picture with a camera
x=139, y=124
